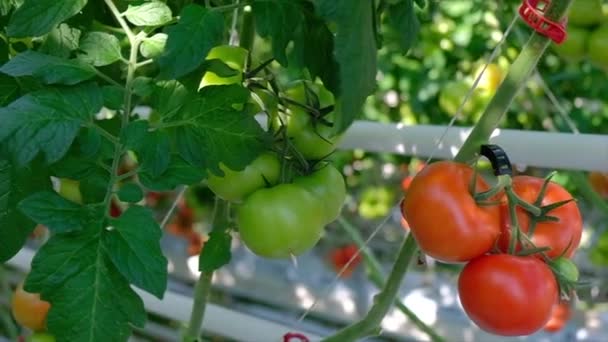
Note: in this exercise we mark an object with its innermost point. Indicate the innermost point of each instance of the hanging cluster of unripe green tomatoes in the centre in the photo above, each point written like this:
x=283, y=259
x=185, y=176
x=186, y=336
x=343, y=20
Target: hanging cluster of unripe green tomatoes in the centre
x=288, y=194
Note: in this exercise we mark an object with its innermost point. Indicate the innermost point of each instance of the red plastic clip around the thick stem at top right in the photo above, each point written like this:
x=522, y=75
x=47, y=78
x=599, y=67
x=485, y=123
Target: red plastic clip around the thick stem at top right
x=533, y=13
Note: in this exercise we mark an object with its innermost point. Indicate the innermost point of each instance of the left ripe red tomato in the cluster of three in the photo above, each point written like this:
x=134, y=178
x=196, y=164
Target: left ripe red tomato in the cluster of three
x=444, y=218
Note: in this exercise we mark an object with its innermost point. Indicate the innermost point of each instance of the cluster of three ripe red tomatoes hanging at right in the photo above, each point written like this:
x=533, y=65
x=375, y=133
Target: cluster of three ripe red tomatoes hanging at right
x=510, y=284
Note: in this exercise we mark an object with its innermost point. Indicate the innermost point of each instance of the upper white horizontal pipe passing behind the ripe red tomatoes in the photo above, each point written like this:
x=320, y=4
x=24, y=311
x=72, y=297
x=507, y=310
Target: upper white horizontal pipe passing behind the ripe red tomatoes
x=587, y=152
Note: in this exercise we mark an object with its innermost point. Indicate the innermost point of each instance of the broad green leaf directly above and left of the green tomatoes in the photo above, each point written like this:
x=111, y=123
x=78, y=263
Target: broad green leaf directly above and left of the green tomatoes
x=208, y=130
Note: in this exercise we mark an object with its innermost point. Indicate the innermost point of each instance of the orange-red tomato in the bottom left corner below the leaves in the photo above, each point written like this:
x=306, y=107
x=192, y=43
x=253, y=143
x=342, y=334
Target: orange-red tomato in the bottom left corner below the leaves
x=29, y=310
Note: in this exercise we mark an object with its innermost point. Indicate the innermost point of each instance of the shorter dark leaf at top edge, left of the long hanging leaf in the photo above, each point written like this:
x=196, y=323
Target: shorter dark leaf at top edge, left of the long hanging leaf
x=278, y=20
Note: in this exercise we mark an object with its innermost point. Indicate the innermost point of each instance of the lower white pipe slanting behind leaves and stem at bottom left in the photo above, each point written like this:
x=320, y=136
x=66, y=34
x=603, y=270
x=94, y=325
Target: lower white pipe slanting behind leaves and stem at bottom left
x=218, y=320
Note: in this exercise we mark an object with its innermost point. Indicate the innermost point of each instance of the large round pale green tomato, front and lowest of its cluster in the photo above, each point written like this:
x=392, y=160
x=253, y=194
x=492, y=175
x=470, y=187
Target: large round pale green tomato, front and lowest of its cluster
x=280, y=221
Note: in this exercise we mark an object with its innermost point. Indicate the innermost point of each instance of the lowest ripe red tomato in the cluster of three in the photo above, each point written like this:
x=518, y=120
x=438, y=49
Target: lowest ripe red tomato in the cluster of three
x=508, y=295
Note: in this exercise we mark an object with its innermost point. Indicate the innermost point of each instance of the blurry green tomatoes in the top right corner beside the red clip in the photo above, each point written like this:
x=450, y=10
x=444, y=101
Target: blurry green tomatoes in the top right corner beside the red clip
x=587, y=34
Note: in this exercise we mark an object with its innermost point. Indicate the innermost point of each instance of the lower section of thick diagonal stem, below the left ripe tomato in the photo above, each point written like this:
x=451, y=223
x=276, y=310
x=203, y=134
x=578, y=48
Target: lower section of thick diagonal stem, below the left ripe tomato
x=383, y=301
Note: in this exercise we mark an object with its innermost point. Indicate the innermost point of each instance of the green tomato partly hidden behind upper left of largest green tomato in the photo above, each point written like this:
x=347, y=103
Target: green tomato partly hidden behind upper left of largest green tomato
x=234, y=186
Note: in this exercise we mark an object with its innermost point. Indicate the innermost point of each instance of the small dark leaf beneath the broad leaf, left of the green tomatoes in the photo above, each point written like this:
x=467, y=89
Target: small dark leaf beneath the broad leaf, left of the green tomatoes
x=178, y=173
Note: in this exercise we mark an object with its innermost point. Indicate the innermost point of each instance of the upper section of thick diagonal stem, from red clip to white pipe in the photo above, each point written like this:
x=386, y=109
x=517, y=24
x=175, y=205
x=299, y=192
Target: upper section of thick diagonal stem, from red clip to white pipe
x=514, y=81
